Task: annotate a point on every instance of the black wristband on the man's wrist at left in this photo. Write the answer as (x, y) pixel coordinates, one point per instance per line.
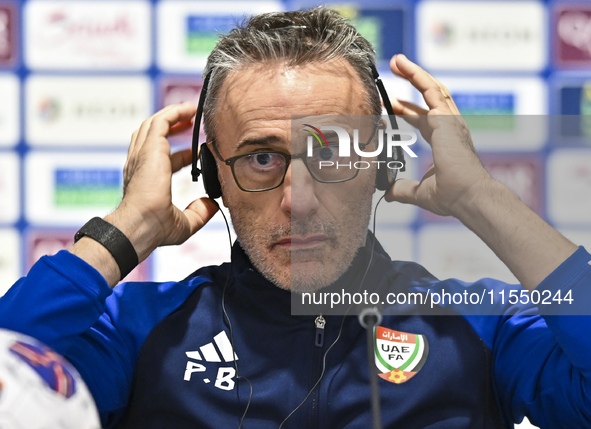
(113, 240)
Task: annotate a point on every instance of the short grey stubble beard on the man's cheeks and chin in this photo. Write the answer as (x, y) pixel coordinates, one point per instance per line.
(259, 241)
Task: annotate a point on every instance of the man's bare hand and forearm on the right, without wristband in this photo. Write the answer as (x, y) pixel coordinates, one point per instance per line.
(457, 184)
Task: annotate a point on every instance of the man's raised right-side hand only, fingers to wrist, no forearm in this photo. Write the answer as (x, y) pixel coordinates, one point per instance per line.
(457, 172)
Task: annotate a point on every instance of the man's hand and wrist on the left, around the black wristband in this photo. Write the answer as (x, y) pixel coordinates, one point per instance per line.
(146, 215)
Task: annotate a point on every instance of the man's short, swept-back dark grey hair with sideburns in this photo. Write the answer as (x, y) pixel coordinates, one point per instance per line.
(294, 38)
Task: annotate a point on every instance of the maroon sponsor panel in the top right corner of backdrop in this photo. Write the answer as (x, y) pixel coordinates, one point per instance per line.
(573, 35)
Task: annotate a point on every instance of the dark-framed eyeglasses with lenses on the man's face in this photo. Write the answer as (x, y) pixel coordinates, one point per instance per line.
(265, 170)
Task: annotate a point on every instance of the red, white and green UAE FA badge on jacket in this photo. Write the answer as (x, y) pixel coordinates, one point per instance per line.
(399, 355)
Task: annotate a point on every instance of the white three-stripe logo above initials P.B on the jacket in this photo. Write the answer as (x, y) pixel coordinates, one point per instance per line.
(216, 351)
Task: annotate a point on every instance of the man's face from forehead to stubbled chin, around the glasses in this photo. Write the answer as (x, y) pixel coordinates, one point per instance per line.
(304, 234)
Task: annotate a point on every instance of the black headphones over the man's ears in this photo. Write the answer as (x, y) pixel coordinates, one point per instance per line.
(385, 177)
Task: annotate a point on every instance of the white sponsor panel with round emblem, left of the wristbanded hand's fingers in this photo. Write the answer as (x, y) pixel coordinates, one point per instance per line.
(85, 110)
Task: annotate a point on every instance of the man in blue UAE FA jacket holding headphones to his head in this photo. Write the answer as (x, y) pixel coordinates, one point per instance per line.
(167, 355)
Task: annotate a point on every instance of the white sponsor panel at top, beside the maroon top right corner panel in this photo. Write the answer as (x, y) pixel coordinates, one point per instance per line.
(484, 35)
